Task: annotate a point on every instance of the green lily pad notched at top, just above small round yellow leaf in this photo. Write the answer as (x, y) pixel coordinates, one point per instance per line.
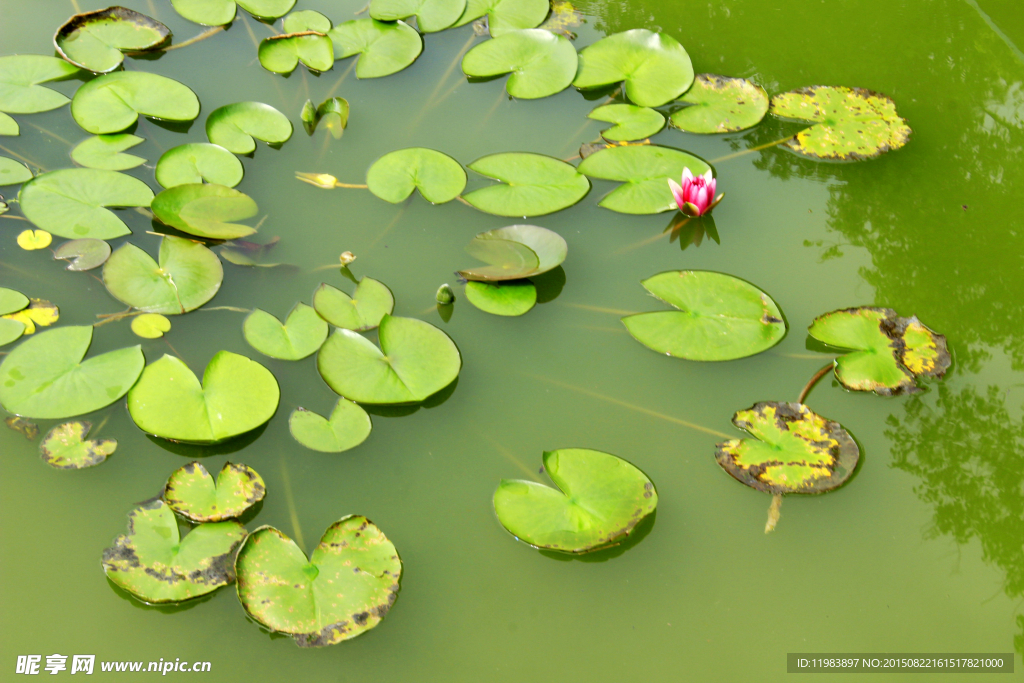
(188, 276)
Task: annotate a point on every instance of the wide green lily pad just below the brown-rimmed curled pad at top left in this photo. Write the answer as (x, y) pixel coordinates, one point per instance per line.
(114, 102)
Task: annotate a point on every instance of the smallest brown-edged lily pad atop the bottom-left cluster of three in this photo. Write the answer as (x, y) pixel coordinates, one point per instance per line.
(192, 493)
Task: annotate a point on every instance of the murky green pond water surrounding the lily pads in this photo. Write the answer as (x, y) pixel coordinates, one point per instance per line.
(921, 552)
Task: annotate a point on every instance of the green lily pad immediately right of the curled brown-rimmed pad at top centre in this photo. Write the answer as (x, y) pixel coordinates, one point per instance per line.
(383, 49)
